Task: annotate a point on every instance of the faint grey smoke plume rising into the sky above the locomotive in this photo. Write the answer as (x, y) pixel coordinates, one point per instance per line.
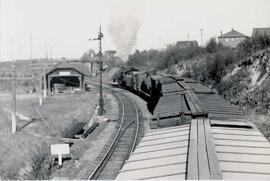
(125, 21)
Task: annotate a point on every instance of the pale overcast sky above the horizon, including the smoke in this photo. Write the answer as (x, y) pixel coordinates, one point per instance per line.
(66, 25)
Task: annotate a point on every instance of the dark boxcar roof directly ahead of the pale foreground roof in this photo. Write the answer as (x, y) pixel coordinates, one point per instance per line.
(198, 101)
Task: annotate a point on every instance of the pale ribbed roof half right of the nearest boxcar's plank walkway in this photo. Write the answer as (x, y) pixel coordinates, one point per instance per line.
(243, 153)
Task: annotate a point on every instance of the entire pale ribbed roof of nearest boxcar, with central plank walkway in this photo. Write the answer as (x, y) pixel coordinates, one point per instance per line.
(203, 149)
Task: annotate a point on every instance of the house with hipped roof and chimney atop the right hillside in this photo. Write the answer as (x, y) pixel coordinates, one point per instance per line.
(232, 38)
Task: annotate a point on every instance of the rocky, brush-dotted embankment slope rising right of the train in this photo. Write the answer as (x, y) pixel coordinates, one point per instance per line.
(246, 84)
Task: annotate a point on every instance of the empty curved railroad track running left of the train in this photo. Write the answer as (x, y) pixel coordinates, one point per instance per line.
(124, 142)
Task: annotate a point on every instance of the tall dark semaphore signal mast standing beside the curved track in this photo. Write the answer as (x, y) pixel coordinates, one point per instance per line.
(101, 102)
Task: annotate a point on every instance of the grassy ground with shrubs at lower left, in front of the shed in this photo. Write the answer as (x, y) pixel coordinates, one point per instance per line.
(25, 155)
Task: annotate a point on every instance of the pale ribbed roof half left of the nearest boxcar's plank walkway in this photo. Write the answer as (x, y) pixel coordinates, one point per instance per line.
(161, 154)
